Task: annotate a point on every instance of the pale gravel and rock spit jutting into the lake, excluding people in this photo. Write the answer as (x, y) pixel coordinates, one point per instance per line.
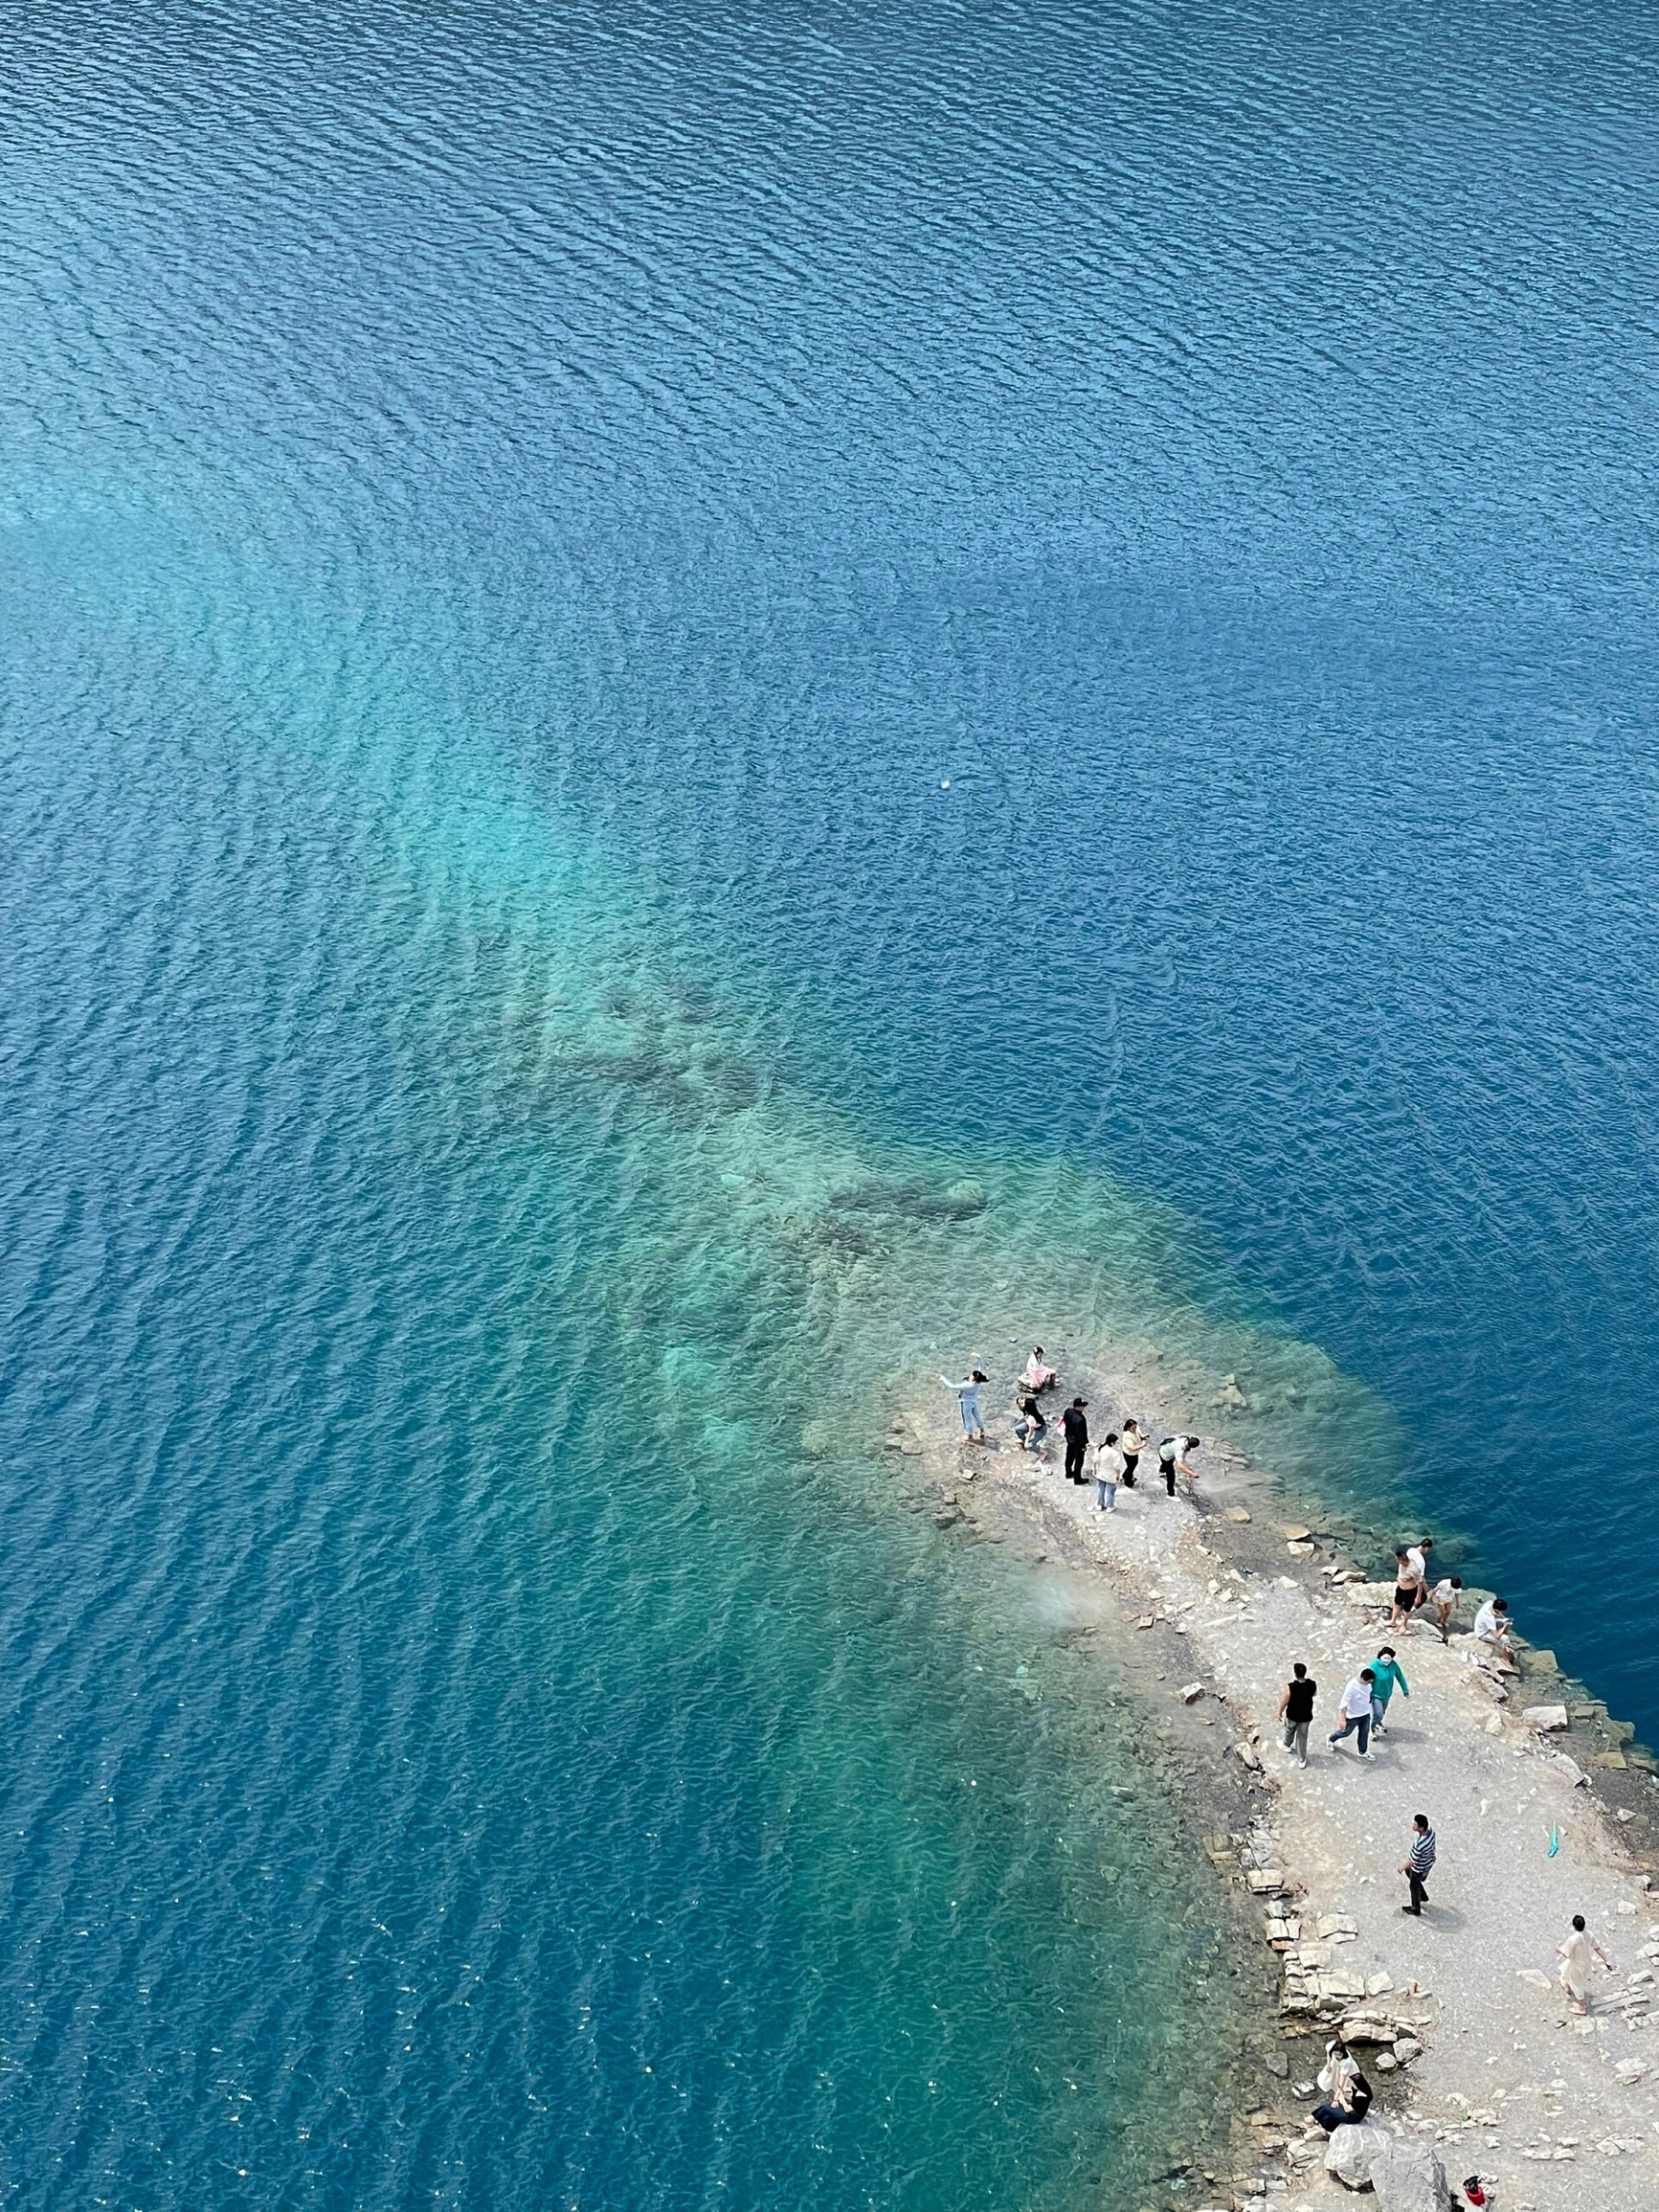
(1543, 1804)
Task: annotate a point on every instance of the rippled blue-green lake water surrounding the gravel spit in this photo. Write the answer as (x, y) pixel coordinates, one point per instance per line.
(702, 702)
